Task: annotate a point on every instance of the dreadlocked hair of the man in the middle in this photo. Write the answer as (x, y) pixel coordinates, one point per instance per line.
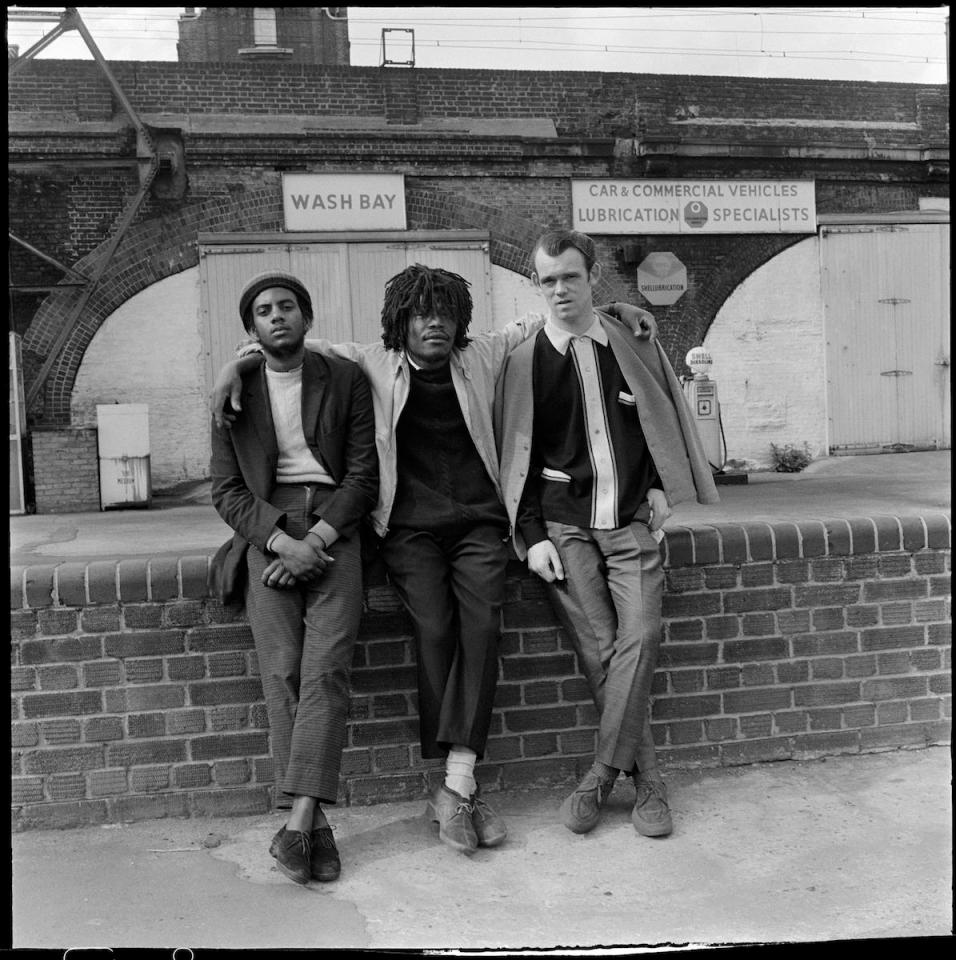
(423, 291)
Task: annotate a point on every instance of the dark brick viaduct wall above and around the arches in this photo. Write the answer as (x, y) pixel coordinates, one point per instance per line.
(513, 185)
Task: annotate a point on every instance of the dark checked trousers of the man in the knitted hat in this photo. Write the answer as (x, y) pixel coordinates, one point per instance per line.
(304, 643)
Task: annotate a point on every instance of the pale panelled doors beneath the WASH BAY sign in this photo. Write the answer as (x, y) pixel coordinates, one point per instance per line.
(346, 280)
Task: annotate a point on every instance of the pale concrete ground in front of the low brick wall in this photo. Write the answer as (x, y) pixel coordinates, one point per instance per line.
(848, 848)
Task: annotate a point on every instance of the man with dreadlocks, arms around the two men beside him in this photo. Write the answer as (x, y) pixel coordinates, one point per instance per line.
(440, 515)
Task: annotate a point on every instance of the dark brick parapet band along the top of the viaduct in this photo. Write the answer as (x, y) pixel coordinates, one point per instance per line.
(612, 104)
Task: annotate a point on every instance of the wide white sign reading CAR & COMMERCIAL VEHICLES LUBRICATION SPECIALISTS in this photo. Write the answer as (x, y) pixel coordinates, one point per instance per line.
(693, 206)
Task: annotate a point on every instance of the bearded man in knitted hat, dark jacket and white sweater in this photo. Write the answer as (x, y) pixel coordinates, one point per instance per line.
(294, 476)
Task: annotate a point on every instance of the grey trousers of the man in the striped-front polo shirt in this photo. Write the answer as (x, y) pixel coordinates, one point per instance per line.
(610, 605)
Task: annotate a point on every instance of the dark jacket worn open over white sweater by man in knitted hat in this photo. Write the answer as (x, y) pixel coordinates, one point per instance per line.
(338, 423)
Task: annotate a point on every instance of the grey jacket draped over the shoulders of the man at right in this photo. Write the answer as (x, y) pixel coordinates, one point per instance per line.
(666, 420)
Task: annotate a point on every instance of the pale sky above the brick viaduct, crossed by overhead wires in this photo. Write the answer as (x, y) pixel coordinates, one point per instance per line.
(895, 44)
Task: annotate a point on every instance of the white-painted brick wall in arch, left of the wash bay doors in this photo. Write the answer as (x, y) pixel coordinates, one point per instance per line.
(150, 351)
